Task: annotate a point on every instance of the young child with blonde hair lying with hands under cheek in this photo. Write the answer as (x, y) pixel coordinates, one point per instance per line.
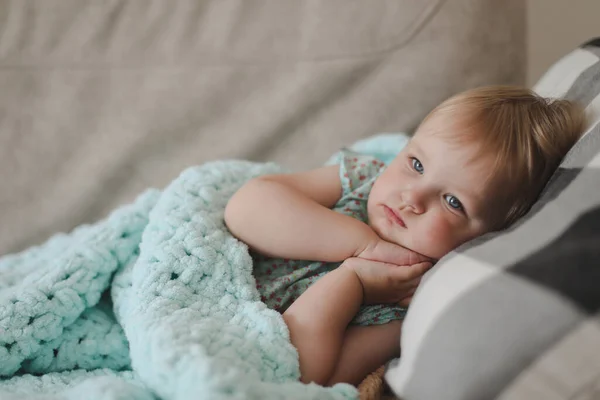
(339, 249)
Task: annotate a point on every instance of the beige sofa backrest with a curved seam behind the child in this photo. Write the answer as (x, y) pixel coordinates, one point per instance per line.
(100, 100)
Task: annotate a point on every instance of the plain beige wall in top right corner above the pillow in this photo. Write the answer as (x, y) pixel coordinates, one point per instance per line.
(555, 27)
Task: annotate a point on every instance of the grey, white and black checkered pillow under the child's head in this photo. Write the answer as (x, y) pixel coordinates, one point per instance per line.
(515, 315)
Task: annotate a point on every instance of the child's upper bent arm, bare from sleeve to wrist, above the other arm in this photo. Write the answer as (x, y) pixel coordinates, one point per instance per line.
(290, 216)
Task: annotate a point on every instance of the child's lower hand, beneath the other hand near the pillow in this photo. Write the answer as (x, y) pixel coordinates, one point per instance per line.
(387, 283)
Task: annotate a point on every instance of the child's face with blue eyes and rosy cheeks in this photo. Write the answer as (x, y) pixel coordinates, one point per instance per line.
(434, 196)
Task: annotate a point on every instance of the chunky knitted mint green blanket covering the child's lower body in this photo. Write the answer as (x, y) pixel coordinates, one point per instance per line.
(157, 301)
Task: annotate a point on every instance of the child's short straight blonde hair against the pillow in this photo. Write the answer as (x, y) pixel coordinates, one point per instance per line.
(528, 134)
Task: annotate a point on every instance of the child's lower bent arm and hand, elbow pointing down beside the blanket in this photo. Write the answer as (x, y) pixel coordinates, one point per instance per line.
(318, 319)
